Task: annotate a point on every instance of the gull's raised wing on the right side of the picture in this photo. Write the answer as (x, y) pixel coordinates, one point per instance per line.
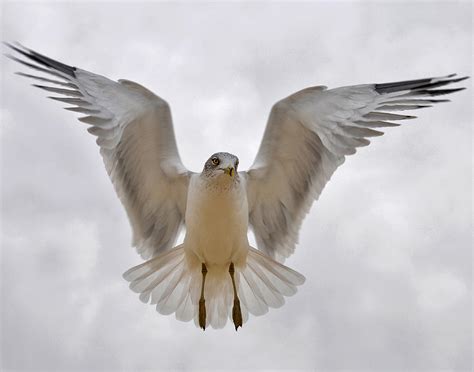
(307, 137)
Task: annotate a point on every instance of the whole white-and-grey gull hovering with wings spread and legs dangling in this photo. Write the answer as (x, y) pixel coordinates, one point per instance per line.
(215, 274)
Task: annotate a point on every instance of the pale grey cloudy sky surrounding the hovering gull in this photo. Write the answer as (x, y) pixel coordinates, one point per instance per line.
(386, 250)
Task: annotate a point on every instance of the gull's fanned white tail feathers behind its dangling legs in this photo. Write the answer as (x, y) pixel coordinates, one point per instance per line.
(168, 282)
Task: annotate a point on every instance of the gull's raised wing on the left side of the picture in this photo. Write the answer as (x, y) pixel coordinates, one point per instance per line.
(135, 133)
